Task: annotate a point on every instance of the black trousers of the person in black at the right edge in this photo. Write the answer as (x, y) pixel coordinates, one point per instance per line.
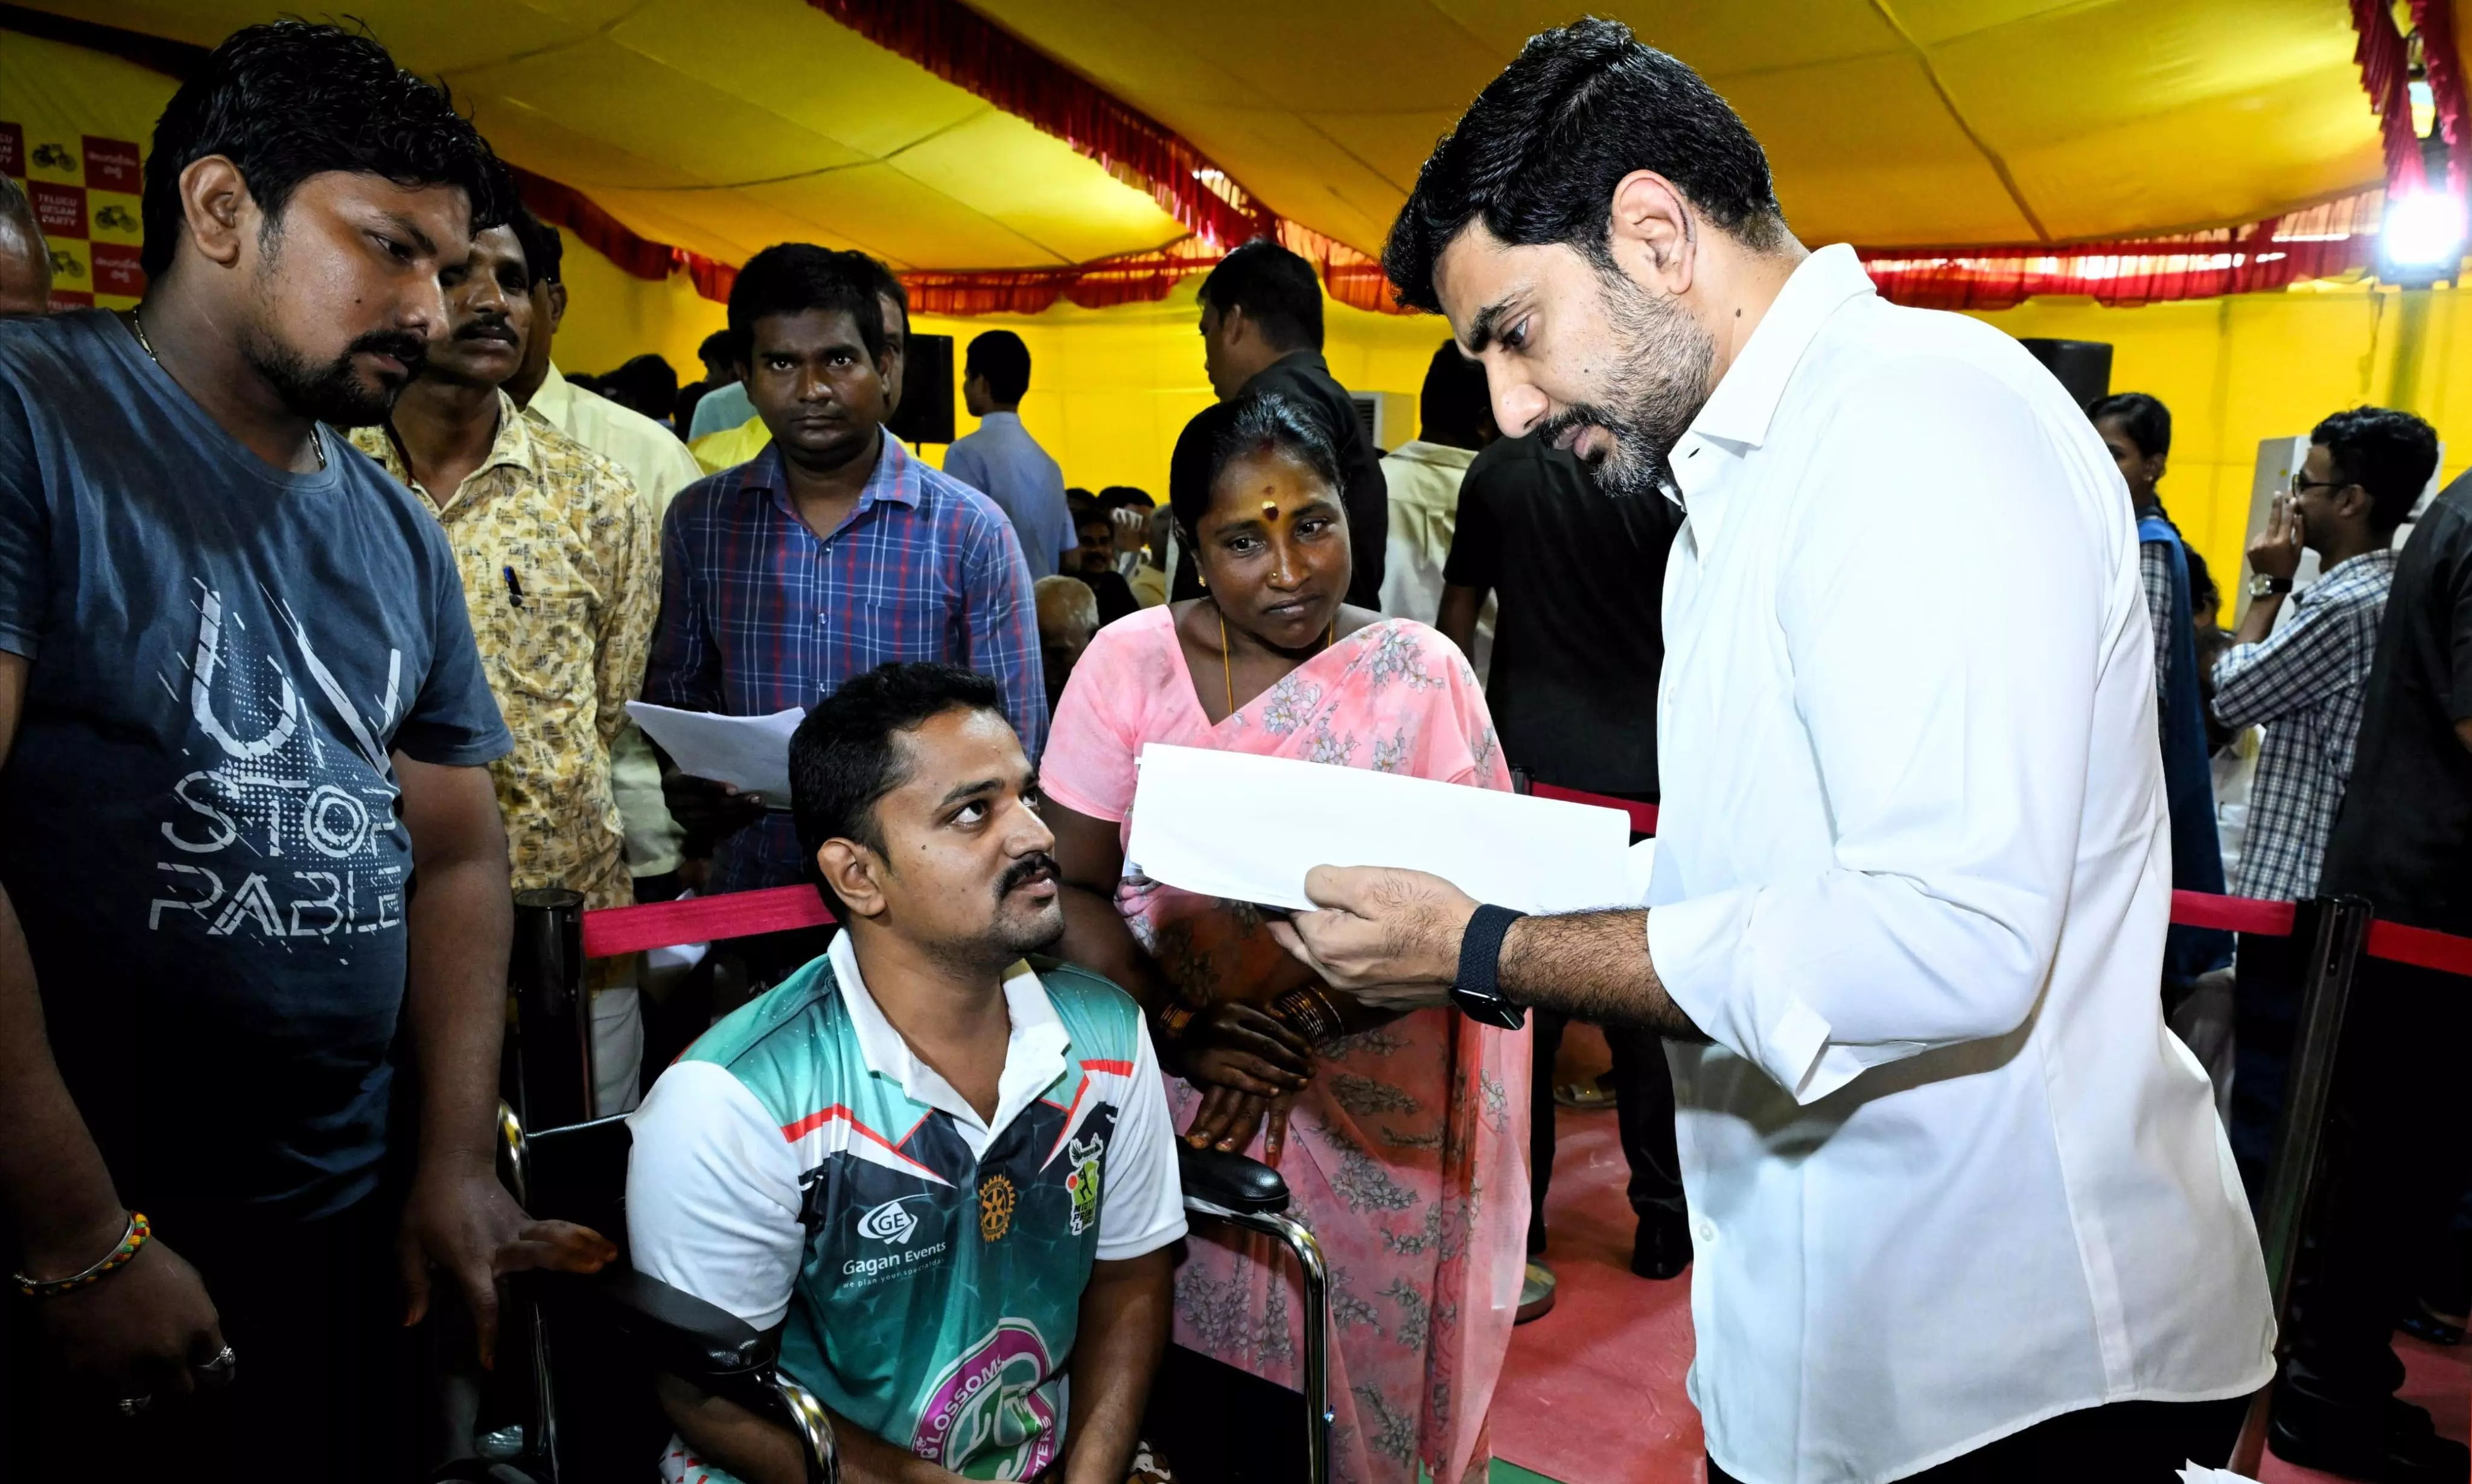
(2392, 1174)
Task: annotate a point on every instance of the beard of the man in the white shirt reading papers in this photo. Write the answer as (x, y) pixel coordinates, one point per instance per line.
(1657, 385)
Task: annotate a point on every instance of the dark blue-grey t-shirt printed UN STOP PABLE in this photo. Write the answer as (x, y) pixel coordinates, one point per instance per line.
(199, 822)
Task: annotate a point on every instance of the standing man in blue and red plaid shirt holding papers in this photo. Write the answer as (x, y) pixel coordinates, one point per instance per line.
(827, 555)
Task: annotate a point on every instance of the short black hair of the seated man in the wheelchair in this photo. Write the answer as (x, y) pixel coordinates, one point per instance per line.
(844, 758)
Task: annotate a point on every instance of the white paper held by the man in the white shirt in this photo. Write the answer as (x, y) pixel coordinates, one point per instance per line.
(1252, 827)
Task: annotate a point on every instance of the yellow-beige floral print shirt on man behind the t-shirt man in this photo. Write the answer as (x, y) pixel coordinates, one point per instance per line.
(562, 575)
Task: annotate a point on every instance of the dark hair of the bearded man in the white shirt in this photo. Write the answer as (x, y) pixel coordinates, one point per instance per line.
(1539, 155)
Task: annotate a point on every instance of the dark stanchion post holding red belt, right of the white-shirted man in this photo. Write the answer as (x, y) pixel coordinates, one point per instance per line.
(2337, 934)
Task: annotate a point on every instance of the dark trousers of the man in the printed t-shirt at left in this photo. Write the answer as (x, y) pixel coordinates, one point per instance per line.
(323, 1386)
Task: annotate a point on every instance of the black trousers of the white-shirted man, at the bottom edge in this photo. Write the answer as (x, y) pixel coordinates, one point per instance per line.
(2125, 1443)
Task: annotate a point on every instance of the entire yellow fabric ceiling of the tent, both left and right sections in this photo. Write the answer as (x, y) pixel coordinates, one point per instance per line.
(726, 125)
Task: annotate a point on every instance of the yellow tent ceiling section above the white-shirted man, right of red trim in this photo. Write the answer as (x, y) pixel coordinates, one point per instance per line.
(1890, 122)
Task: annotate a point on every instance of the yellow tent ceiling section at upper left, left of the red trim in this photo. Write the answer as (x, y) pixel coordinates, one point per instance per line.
(730, 125)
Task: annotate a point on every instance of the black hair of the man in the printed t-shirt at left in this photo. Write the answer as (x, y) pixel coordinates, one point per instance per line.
(293, 100)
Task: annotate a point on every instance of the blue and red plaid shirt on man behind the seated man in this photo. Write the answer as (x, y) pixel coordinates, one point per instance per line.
(760, 617)
